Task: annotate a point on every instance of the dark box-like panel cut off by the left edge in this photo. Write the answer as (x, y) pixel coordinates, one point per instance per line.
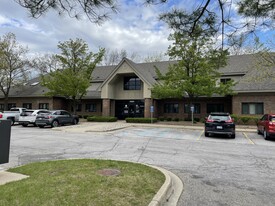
(5, 134)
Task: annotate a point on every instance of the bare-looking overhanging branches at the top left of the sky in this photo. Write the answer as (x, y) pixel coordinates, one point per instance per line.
(95, 11)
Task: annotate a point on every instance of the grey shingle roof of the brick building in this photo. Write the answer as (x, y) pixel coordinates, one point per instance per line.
(237, 65)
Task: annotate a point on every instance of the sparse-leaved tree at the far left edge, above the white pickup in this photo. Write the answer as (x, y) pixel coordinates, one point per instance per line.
(14, 66)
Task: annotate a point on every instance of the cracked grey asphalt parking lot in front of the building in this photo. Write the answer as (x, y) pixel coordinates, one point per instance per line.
(215, 170)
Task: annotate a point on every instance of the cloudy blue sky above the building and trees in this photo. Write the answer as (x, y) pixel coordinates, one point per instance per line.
(135, 28)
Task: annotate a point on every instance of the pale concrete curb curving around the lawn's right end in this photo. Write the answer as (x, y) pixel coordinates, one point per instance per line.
(170, 191)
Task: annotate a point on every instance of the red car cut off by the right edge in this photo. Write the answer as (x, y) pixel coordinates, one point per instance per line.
(266, 125)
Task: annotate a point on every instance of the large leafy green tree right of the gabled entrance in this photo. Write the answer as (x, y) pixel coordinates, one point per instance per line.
(195, 72)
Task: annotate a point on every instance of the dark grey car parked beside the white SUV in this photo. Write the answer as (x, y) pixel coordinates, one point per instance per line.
(56, 118)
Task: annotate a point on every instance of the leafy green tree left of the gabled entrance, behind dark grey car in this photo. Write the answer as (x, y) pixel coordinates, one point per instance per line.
(73, 78)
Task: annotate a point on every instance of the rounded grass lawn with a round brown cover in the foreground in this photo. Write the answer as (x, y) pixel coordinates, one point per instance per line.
(82, 182)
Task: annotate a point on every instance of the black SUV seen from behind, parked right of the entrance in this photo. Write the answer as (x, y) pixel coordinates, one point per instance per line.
(219, 123)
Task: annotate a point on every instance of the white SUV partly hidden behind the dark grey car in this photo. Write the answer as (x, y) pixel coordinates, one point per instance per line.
(29, 116)
